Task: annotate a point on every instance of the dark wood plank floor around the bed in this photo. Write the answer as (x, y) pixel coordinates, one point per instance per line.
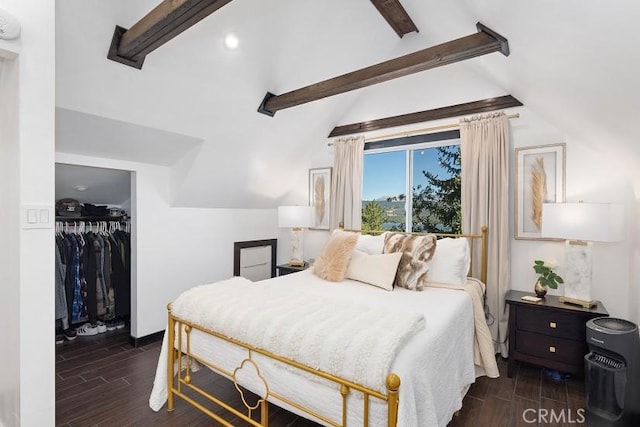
(104, 381)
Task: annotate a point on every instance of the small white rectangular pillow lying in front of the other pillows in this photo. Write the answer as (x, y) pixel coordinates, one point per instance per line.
(377, 270)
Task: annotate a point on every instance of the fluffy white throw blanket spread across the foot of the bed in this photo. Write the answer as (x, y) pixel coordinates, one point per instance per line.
(345, 339)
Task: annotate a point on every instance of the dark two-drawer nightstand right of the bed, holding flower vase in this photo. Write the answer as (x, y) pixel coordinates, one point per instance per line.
(548, 333)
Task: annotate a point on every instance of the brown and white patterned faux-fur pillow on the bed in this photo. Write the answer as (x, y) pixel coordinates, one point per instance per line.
(416, 252)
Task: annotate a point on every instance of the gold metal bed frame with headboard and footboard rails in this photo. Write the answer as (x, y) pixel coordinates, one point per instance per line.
(180, 363)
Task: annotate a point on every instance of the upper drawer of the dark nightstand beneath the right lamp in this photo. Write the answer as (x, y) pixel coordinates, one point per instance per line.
(552, 323)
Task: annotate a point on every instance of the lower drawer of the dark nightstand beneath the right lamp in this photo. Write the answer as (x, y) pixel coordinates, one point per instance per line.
(551, 348)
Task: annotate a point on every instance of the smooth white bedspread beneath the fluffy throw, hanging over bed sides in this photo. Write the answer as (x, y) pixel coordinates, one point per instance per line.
(436, 366)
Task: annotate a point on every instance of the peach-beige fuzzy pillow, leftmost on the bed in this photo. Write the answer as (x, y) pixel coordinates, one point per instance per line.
(332, 262)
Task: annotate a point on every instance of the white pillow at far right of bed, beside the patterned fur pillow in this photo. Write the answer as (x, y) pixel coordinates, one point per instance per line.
(450, 264)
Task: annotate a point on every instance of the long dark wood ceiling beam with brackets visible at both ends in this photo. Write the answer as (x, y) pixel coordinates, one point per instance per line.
(481, 43)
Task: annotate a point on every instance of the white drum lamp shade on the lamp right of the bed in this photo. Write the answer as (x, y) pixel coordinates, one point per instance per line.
(596, 222)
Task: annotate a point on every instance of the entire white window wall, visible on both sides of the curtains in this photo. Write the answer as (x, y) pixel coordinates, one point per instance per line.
(592, 175)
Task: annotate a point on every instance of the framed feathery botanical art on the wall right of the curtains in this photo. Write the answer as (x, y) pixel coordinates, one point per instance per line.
(539, 178)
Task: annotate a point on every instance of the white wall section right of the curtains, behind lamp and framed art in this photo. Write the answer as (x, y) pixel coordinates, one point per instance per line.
(592, 176)
